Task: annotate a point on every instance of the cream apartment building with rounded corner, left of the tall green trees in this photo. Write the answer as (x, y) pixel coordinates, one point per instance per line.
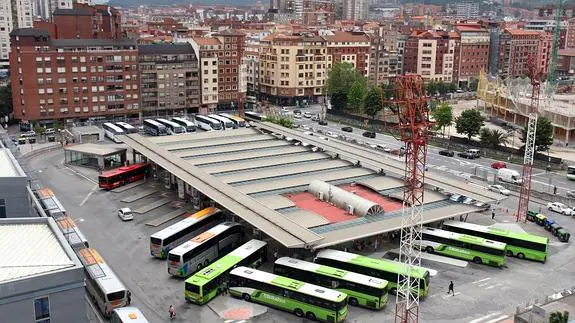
(292, 68)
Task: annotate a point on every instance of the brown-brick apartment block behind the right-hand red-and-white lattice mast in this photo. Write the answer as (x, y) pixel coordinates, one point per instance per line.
(515, 46)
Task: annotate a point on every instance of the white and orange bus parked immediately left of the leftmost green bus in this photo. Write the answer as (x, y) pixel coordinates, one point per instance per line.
(203, 249)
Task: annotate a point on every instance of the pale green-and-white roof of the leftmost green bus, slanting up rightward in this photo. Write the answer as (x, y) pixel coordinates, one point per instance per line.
(228, 261)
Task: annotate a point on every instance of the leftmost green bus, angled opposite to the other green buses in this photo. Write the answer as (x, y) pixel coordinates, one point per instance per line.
(207, 283)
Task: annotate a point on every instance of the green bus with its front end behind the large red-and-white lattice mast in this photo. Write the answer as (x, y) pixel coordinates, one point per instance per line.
(379, 268)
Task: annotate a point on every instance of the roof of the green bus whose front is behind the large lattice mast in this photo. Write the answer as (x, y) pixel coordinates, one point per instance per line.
(380, 264)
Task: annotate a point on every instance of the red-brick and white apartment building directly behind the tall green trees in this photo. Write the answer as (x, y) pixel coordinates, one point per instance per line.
(352, 47)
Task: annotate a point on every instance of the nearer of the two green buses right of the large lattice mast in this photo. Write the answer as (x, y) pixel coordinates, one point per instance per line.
(463, 246)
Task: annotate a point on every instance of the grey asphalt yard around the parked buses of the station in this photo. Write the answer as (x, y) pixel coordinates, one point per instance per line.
(482, 293)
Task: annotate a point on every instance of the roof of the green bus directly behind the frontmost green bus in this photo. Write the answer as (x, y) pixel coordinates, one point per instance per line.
(333, 272)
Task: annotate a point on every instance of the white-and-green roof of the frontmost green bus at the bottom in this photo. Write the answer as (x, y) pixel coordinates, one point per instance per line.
(288, 283)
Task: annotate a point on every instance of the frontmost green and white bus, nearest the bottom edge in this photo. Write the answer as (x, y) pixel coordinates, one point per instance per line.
(302, 299)
